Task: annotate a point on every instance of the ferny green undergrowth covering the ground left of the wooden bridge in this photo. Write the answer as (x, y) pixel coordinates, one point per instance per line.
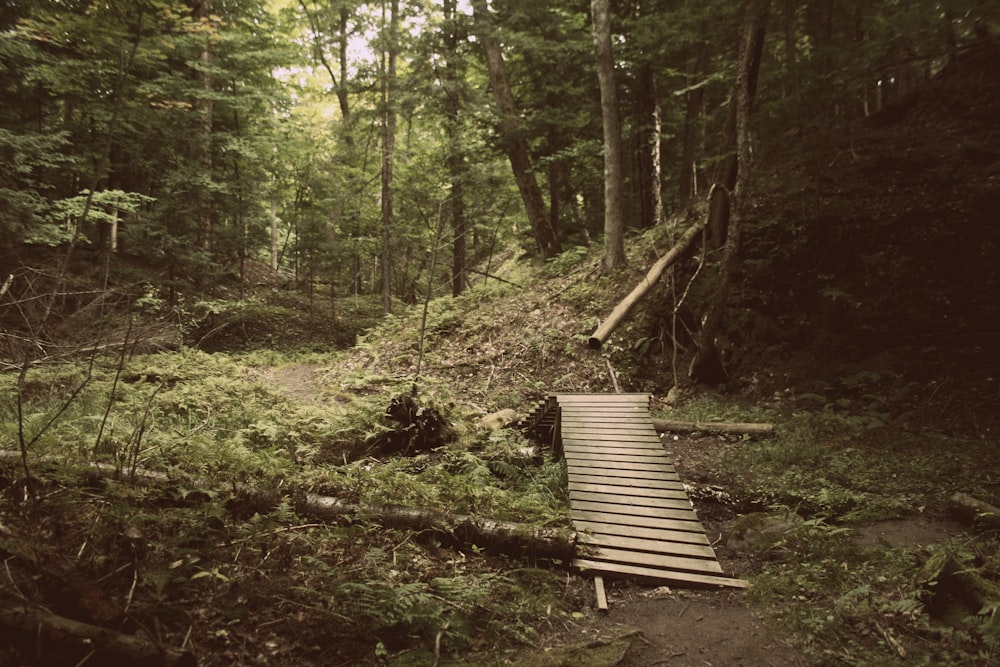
(216, 550)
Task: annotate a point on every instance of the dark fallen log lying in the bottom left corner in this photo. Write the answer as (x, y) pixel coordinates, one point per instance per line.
(47, 630)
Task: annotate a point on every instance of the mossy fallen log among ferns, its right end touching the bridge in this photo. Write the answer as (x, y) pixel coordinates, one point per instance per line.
(515, 539)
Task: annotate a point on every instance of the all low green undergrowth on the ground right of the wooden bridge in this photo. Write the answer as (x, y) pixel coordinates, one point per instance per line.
(841, 465)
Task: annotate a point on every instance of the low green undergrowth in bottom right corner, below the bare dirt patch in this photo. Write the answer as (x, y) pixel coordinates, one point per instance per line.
(847, 603)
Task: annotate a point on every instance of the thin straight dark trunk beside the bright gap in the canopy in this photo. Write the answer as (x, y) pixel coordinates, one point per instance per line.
(388, 89)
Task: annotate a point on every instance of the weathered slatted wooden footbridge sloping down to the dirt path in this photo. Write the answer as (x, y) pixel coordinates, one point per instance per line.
(628, 505)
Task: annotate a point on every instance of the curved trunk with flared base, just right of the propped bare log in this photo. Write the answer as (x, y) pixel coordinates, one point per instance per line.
(707, 364)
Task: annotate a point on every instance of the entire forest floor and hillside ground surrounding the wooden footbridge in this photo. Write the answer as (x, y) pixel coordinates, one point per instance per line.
(866, 327)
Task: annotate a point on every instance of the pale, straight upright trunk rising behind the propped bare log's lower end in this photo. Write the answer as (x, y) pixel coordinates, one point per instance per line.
(614, 206)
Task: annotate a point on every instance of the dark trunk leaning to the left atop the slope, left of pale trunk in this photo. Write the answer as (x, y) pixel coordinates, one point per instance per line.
(510, 130)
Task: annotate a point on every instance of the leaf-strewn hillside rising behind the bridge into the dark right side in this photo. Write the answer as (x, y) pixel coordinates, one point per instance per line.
(870, 267)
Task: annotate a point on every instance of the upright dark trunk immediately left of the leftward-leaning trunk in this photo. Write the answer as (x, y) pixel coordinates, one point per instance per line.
(456, 154)
